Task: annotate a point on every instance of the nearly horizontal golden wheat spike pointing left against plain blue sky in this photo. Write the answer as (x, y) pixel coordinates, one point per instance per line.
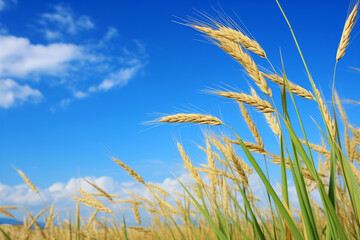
(191, 118)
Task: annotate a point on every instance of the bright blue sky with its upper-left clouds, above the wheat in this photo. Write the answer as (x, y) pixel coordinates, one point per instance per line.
(77, 80)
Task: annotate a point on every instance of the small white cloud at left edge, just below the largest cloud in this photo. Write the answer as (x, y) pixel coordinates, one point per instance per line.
(12, 94)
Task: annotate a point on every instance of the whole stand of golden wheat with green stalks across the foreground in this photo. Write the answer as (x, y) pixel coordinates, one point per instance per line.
(220, 203)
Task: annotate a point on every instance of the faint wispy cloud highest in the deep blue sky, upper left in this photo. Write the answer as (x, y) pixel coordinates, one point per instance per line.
(63, 19)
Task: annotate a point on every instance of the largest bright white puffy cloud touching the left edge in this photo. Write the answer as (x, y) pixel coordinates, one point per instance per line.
(20, 58)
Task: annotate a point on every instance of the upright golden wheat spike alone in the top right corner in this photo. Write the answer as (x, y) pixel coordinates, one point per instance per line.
(349, 24)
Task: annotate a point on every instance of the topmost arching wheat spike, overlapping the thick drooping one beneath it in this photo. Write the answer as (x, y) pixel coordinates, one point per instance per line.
(233, 35)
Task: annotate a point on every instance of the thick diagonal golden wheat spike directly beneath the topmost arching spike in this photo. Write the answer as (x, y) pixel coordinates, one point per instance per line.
(234, 50)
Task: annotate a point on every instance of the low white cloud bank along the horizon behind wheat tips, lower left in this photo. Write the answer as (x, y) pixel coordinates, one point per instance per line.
(60, 194)
